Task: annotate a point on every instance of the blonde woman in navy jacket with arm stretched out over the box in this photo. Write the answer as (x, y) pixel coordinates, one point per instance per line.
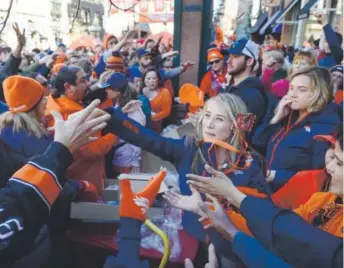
(189, 156)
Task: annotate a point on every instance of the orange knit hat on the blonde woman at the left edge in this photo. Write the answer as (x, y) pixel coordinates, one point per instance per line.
(22, 93)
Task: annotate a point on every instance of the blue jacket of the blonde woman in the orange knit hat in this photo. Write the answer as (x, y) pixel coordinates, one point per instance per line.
(28, 145)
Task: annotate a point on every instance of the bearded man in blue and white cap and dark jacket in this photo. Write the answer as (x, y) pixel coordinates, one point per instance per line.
(243, 58)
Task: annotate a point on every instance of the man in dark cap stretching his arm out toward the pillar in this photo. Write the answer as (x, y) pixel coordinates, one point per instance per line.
(145, 61)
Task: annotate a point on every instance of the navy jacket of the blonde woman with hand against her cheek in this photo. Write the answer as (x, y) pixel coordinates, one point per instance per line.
(292, 148)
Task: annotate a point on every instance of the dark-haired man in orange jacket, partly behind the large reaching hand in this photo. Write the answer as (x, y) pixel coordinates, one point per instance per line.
(67, 98)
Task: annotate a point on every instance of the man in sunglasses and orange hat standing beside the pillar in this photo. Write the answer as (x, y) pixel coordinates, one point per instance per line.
(214, 81)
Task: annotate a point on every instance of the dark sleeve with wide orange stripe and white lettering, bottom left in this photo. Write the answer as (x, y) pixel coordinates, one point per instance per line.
(26, 200)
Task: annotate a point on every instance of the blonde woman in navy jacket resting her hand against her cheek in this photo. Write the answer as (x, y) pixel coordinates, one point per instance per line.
(306, 111)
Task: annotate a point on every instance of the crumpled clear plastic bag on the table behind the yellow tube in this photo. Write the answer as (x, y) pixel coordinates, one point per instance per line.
(170, 223)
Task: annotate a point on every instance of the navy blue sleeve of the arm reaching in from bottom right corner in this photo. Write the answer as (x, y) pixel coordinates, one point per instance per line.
(287, 235)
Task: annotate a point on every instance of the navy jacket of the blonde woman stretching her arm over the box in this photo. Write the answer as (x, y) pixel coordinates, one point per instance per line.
(180, 153)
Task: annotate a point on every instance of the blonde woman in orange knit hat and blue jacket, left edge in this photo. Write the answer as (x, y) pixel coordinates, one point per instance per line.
(22, 127)
